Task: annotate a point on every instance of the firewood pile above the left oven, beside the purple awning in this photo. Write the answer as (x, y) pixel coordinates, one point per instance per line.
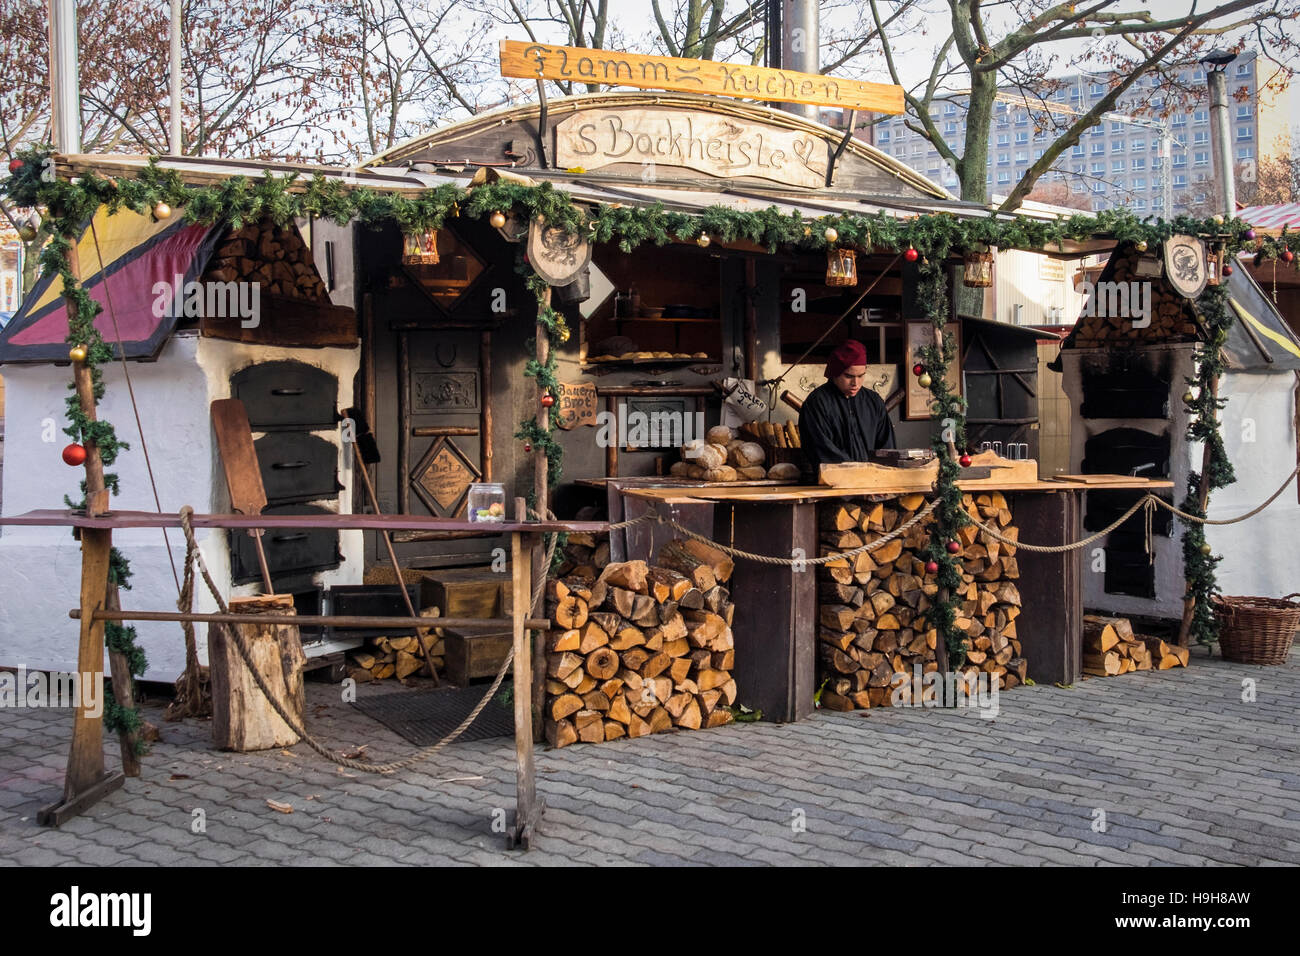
(276, 257)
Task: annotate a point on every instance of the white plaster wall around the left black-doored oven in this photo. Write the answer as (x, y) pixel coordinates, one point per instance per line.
(41, 568)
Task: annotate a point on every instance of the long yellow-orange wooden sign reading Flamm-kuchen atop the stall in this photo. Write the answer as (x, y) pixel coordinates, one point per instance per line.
(544, 62)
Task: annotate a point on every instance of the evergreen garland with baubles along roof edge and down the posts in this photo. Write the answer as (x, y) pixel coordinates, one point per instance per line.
(937, 236)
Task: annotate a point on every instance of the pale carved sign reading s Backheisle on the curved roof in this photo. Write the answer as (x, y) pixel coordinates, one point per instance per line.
(691, 140)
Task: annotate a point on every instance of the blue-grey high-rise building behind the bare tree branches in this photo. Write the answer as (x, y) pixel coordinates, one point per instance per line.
(1119, 163)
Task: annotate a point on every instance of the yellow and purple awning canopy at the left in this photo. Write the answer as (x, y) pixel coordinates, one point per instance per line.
(123, 258)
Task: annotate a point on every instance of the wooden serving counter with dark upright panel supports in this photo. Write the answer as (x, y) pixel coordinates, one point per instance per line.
(777, 607)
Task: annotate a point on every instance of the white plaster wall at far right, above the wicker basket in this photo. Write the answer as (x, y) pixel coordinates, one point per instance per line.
(1260, 555)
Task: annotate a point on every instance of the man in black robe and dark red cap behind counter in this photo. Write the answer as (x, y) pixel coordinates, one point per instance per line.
(844, 421)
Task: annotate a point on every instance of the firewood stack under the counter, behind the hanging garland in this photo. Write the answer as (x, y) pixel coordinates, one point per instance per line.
(874, 605)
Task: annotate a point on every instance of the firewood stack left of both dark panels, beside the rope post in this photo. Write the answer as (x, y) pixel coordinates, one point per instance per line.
(642, 650)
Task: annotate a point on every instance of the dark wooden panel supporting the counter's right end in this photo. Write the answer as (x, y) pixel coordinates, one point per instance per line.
(1051, 586)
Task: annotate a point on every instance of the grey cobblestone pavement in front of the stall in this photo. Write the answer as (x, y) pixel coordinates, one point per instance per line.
(1182, 768)
